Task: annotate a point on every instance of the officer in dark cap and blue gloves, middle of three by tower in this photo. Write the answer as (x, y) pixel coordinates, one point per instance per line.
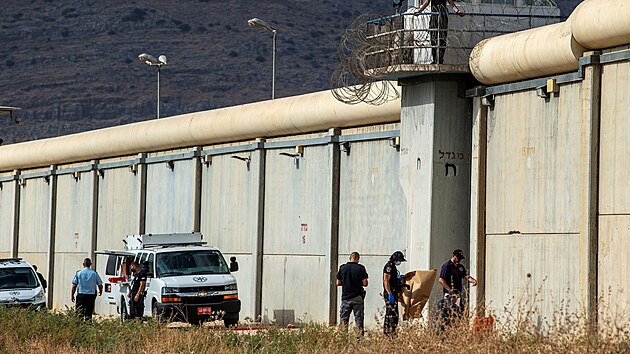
(391, 289)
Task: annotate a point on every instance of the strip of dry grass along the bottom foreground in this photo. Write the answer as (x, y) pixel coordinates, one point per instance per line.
(29, 332)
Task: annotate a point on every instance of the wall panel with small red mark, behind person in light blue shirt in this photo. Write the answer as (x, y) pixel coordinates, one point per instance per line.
(73, 232)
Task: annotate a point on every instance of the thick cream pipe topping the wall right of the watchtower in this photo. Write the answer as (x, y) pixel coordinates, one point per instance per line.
(552, 49)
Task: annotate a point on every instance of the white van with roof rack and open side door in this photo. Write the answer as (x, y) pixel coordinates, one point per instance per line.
(186, 280)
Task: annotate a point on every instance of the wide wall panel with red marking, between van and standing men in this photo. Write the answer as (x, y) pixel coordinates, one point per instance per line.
(297, 233)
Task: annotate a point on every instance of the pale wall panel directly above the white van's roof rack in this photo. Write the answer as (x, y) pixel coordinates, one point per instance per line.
(170, 197)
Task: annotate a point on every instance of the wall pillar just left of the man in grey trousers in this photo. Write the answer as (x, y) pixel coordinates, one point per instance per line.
(334, 175)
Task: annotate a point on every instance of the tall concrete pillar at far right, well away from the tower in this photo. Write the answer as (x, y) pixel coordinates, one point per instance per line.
(589, 187)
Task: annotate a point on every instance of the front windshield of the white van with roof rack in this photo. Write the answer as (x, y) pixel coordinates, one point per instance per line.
(190, 263)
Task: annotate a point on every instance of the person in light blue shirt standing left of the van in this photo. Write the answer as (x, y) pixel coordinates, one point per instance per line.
(85, 284)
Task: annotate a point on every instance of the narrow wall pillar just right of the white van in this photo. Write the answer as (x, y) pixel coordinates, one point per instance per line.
(259, 155)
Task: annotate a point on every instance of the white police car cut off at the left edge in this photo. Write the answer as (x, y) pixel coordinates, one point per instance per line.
(19, 285)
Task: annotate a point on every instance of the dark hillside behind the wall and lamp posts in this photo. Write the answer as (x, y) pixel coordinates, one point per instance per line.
(72, 65)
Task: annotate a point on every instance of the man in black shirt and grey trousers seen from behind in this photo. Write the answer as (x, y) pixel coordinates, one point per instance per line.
(352, 277)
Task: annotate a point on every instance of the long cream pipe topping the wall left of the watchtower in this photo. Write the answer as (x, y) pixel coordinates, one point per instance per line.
(292, 115)
